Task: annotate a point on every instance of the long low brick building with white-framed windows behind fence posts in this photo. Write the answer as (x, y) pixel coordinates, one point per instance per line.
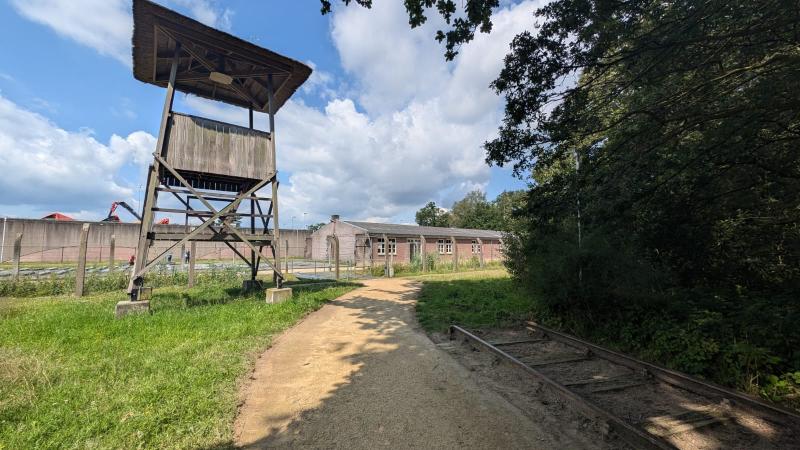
(371, 243)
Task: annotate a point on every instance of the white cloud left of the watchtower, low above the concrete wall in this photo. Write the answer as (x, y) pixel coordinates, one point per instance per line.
(46, 168)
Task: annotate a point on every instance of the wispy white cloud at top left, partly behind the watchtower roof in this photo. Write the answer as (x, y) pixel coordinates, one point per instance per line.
(107, 25)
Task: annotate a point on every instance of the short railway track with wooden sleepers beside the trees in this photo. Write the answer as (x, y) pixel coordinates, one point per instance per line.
(645, 405)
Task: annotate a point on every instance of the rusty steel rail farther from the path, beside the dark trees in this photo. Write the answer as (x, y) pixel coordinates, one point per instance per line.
(674, 378)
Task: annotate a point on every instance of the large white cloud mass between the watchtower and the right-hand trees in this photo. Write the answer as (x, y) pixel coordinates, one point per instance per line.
(419, 134)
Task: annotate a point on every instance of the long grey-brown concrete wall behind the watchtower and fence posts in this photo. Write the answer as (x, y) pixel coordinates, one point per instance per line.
(56, 241)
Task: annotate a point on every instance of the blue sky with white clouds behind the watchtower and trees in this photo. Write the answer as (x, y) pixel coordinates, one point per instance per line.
(383, 126)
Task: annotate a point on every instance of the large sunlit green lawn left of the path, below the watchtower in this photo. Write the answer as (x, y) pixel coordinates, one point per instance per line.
(71, 376)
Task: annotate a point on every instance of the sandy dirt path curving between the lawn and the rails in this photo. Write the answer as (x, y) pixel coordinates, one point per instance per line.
(360, 373)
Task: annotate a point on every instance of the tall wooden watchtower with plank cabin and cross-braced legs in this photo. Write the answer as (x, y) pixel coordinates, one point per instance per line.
(211, 167)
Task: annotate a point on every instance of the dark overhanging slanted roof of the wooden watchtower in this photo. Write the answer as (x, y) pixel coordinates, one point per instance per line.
(240, 69)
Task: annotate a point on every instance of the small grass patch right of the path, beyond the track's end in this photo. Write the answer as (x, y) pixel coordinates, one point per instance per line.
(478, 299)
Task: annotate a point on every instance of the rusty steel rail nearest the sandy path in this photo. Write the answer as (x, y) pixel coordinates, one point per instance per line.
(633, 435)
